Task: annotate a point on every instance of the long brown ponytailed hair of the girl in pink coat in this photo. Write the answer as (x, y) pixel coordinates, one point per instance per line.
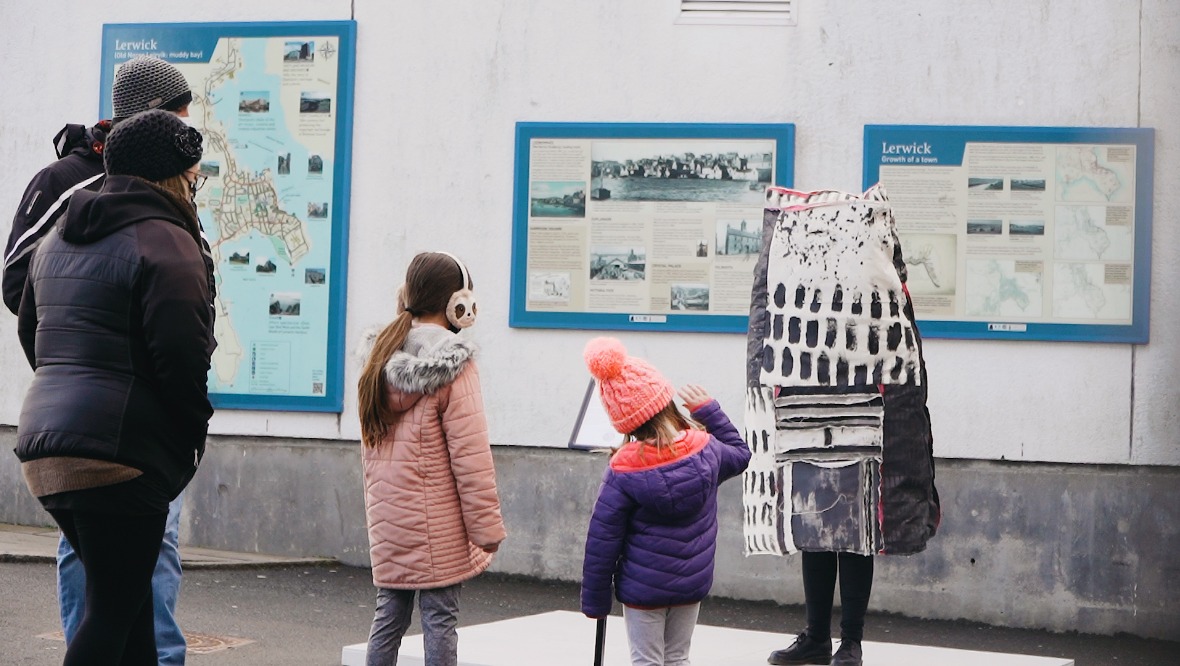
(430, 282)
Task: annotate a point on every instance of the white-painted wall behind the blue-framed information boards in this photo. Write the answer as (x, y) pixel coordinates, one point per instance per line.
(441, 86)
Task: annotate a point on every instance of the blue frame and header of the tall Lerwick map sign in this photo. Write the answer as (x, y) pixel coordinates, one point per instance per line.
(195, 43)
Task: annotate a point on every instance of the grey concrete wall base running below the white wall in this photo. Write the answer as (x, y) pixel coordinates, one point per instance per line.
(1089, 549)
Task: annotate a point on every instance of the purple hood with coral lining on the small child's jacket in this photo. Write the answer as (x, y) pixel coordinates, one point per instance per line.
(678, 486)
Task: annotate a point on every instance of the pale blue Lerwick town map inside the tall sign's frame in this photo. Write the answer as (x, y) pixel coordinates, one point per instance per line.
(266, 108)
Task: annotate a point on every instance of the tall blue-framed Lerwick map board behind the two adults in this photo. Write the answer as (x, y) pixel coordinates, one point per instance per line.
(274, 102)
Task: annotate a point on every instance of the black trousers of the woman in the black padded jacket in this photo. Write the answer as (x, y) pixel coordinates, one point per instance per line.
(119, 553)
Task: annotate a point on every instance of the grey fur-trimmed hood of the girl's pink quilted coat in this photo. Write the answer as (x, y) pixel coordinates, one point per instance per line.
(431, 358)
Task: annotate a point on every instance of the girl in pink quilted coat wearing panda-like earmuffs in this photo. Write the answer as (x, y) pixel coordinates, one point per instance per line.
(430, 487)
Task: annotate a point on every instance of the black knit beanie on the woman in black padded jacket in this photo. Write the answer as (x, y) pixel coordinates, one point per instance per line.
(154, 146)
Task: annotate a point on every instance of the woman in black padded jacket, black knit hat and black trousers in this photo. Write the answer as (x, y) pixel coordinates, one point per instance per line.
(115, 321)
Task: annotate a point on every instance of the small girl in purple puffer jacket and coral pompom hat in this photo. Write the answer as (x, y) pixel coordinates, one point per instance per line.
(654, 530)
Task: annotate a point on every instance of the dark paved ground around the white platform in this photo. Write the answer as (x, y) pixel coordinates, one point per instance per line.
(304, 613)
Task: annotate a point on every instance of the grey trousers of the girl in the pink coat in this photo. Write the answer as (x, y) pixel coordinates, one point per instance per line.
(441, 623)
